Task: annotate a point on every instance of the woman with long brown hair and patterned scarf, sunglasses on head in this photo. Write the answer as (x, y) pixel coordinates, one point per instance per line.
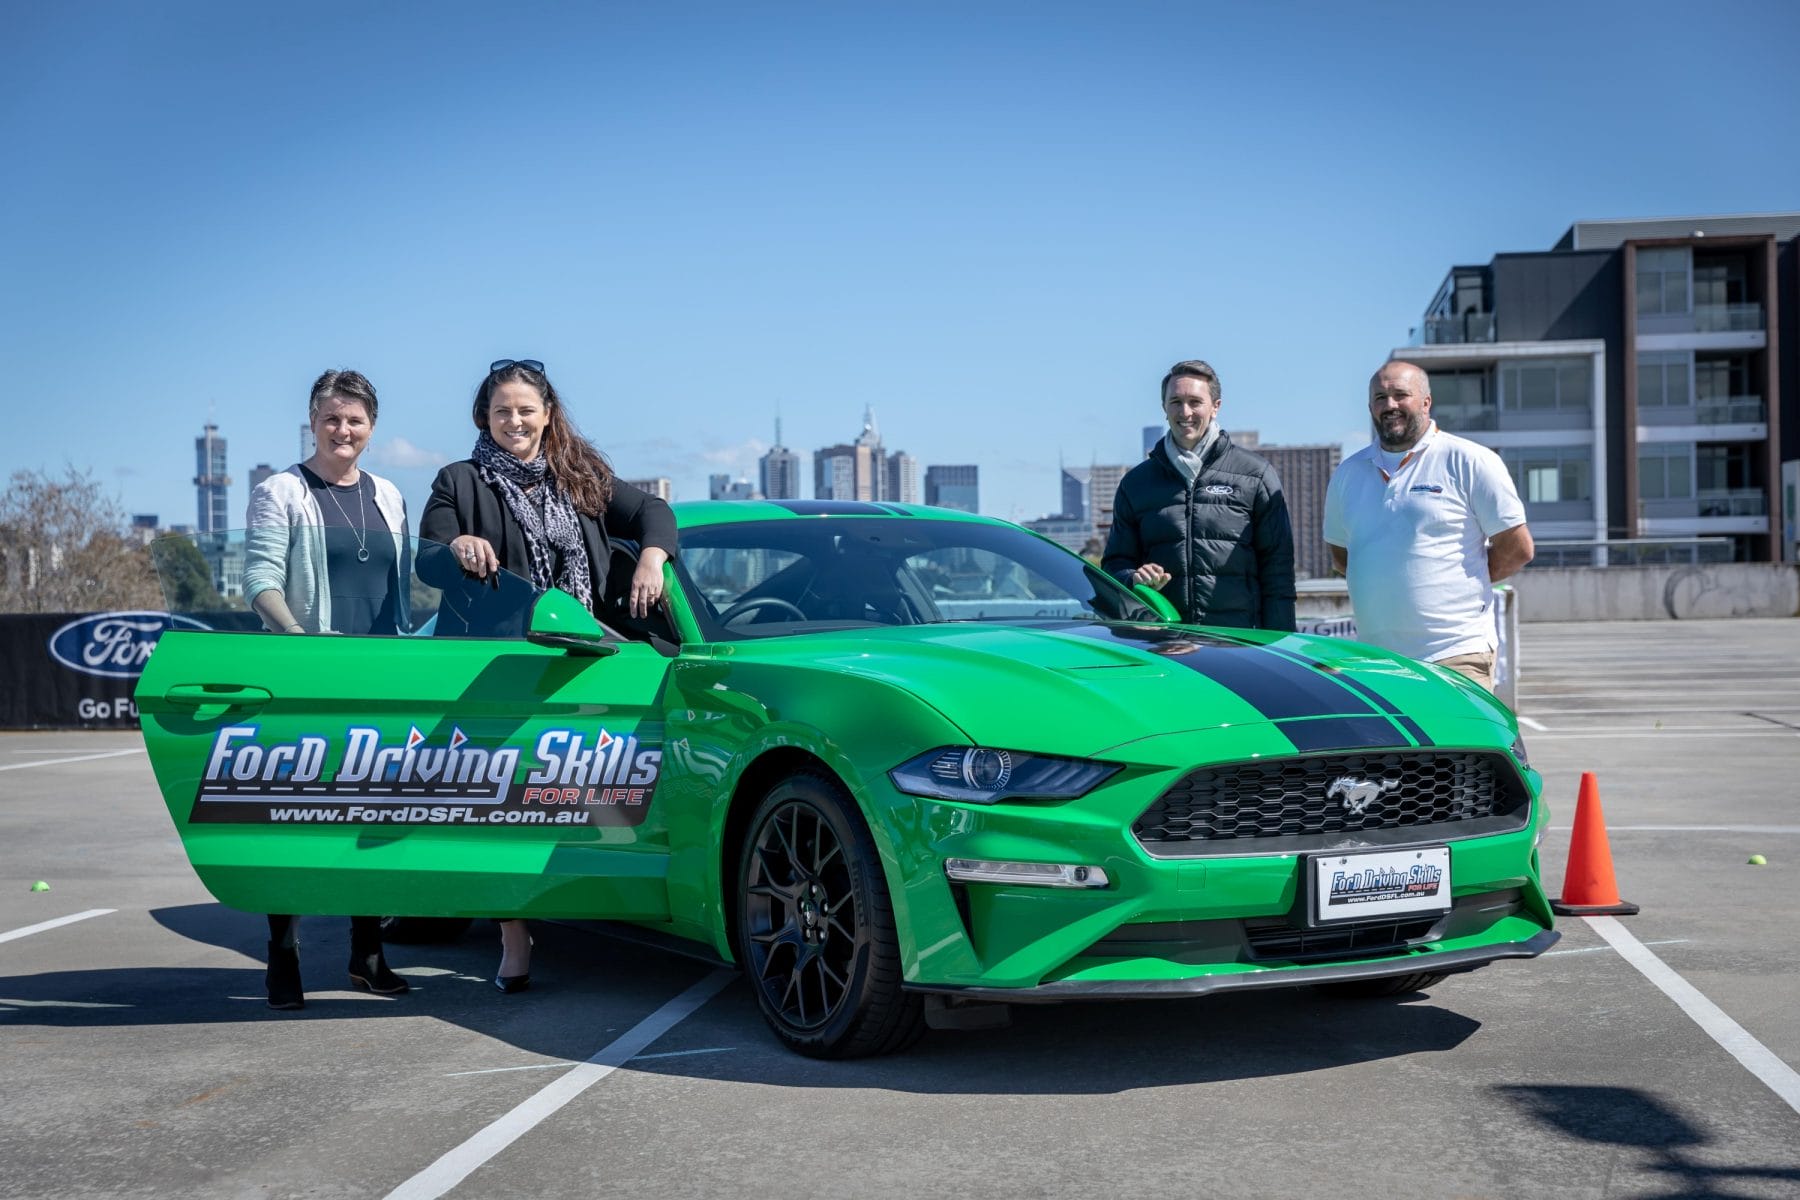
(539, 501)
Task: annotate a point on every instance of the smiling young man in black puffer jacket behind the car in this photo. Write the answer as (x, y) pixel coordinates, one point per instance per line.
(1205, 521)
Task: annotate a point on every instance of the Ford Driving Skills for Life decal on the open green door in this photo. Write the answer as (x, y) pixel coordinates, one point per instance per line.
(573, 778)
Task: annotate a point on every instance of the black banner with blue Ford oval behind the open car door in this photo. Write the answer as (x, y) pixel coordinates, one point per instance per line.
(78, 670)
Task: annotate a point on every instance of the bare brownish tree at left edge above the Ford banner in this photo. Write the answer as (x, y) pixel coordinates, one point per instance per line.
(64, 548)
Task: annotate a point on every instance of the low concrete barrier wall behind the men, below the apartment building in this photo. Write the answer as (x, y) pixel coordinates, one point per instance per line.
(1624, 593)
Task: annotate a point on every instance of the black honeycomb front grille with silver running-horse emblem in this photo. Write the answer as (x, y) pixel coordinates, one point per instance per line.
(1311, 803)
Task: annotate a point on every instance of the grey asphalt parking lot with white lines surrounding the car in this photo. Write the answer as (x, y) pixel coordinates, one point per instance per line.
(1644, 1057)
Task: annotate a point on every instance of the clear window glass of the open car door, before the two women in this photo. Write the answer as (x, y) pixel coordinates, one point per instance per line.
(404, 587)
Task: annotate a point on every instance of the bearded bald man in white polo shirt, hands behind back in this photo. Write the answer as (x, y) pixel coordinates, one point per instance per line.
(1425, 524)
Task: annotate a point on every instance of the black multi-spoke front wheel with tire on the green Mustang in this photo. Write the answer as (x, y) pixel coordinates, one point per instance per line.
(818, 929)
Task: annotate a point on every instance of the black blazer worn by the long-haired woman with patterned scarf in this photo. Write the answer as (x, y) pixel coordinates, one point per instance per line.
(463, 505)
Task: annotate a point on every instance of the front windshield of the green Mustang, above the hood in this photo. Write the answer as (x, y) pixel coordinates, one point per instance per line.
(798, 577)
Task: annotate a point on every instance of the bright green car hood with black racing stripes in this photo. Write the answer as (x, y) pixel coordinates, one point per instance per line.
(1088, 688)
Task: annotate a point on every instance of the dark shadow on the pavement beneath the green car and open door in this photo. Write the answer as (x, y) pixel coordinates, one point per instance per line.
(591, 989)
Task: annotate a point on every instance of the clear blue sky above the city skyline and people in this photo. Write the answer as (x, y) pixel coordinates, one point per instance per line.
(998, 224)
